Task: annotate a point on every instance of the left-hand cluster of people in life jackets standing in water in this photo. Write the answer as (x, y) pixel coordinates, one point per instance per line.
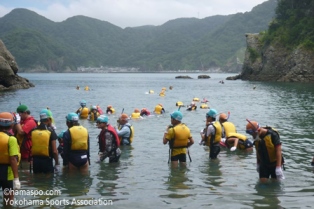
(26, 140)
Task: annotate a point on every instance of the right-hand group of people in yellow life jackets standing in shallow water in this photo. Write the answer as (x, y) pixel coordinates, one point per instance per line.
(220, 133)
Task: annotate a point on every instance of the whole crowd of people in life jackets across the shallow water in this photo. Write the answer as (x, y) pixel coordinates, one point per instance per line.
(23, 138)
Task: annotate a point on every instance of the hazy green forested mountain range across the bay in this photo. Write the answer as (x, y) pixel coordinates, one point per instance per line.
(180, 44)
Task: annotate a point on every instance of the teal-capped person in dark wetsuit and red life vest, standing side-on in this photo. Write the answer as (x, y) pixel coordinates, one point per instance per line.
(108, 141)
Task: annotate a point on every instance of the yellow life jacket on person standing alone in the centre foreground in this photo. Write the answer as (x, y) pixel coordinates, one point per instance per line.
(181, 136)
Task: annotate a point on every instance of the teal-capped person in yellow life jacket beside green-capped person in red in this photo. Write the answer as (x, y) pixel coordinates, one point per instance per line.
(44, 146)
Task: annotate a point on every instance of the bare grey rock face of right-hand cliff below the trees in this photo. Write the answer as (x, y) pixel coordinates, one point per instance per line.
(275, 62)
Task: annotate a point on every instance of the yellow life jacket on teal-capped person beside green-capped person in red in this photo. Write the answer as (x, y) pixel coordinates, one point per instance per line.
(40, 141)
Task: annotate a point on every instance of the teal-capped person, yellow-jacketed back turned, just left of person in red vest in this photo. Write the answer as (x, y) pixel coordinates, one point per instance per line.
(76, 145)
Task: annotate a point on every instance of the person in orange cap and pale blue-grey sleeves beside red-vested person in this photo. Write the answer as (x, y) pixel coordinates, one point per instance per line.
(125, 130)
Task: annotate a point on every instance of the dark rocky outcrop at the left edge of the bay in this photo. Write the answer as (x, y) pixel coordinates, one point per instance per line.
(8, 72)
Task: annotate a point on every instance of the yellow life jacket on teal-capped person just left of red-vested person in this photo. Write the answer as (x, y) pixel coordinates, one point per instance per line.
(79, 138)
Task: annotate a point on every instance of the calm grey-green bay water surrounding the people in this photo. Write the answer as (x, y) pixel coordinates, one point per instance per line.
(143, 178)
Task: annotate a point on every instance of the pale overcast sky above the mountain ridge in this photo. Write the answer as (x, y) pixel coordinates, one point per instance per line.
(130, 13)
